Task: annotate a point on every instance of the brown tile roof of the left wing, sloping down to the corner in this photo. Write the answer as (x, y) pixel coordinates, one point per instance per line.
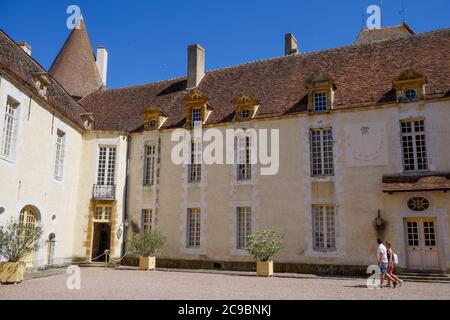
(17, 63)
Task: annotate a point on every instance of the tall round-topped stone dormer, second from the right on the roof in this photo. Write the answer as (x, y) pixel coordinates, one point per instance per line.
(321, 91)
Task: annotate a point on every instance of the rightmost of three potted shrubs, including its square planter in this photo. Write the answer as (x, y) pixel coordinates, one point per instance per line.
(263, 245)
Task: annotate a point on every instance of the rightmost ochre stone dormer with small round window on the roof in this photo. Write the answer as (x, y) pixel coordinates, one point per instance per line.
(410, 86)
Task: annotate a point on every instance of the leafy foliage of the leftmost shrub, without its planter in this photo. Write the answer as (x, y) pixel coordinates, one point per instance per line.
(18, 241)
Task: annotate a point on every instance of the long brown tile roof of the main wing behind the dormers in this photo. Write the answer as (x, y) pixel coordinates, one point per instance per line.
(363, 76)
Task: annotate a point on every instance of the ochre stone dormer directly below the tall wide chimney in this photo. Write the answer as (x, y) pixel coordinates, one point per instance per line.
(197, 108)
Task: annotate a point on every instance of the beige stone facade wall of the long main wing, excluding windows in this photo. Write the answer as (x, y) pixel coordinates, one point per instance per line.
(284, 201)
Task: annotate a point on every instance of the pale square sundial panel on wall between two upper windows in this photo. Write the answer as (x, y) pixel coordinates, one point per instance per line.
(366, 144)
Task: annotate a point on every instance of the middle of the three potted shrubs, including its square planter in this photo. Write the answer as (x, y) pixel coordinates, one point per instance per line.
(147, 245)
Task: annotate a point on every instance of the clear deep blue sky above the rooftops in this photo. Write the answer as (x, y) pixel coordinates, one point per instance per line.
(147, 40)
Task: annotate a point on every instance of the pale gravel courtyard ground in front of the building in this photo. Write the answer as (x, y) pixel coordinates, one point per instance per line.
(97, 283)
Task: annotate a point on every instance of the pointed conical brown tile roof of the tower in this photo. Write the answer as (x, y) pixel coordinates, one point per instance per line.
(74, 66)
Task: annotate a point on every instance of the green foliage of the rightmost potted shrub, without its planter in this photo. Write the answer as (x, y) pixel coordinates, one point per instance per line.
(264, 244)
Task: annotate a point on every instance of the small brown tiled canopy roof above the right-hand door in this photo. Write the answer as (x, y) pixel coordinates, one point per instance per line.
(414, 183)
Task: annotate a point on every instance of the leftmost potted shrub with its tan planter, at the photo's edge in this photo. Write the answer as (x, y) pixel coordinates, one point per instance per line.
(17, 242)
